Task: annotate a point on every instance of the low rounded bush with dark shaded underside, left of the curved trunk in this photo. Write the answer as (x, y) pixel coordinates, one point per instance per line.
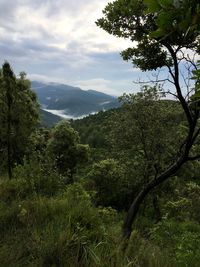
(108, 178)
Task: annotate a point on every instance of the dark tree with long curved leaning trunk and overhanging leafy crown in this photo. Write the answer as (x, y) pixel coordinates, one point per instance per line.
(165, 35)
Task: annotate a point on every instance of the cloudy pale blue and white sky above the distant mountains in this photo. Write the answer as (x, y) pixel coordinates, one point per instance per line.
(57, 40)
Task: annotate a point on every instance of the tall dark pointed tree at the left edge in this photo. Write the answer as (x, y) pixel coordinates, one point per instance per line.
(18, 116)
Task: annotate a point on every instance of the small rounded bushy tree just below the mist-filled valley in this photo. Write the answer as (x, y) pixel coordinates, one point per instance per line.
(65, 150)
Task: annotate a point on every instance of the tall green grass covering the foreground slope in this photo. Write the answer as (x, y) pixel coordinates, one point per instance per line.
(66, 230)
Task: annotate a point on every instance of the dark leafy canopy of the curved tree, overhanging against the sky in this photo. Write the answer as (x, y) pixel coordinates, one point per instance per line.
(153, 25)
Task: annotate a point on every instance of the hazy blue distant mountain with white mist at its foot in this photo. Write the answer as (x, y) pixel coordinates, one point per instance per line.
(72, 101)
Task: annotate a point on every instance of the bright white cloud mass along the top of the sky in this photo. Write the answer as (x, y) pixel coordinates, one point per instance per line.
(69, 22)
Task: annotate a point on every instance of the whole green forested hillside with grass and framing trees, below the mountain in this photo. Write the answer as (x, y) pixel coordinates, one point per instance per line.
(121, 187)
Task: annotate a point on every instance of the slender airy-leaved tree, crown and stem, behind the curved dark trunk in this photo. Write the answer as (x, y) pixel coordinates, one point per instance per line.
(141, 139)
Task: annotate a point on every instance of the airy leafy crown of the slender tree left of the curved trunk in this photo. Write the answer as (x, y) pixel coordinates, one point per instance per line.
(141, 128)
